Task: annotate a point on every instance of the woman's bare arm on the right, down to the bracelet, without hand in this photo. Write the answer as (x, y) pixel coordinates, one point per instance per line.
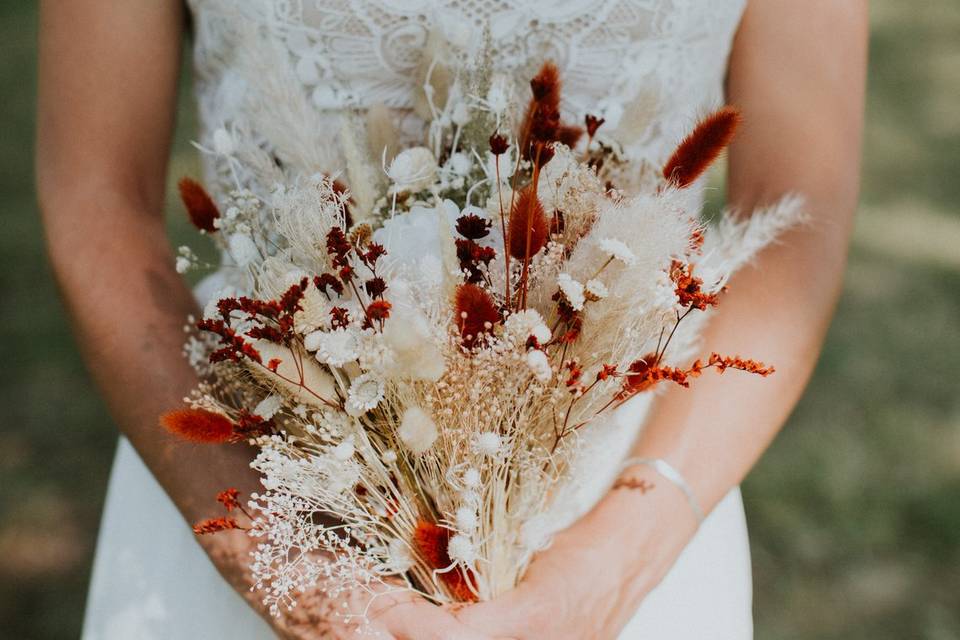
(801, 133)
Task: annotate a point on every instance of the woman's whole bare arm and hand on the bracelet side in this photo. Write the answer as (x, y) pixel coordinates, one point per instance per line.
(797, 71)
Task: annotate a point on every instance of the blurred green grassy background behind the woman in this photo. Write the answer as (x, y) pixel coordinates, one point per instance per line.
(855, 511)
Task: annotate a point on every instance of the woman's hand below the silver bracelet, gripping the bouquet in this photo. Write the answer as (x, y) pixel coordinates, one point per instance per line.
(590, 581)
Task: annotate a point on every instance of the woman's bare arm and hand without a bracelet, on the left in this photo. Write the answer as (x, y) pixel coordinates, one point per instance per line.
(107, 93)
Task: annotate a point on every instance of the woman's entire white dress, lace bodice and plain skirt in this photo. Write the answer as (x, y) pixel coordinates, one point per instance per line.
(650, 67)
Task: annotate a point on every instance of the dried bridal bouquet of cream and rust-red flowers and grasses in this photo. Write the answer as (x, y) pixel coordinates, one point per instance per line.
(418, 358)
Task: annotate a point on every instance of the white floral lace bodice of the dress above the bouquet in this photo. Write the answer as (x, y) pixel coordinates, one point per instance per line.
(649, 67)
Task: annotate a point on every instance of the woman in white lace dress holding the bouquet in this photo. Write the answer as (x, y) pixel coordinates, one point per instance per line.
(634, 565)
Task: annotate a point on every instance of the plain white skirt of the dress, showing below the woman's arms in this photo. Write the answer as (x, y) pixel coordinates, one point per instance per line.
(151, 580)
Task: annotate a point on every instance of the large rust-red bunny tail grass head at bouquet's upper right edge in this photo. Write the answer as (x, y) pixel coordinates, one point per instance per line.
(699, 149)
